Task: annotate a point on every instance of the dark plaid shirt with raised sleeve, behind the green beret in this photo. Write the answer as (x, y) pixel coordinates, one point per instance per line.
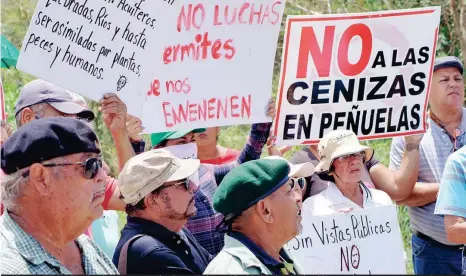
(203, 224)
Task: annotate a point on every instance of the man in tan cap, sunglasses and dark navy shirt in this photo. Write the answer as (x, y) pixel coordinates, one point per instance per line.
(158, 189)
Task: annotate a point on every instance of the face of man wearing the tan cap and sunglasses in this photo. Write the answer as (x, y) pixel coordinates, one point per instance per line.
(176, 199)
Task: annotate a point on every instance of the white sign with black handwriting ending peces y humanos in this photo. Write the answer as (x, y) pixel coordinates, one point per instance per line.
(95, 47)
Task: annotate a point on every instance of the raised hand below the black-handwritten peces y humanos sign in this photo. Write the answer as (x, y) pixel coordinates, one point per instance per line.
(113, 113)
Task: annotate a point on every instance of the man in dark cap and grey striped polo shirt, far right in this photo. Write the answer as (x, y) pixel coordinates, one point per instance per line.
(433, 253)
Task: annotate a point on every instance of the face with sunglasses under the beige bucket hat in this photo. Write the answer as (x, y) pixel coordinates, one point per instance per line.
(349, 167)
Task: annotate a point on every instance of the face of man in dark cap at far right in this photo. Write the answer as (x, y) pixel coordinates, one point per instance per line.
(447, 89)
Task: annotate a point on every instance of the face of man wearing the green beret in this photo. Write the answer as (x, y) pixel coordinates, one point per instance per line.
(286, 204)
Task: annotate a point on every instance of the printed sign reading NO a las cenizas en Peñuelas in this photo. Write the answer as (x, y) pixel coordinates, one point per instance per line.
(369, 73)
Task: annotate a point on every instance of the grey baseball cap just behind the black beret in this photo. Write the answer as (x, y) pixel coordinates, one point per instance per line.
(40, 91)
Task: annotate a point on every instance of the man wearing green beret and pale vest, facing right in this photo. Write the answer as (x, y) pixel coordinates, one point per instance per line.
(262, 211)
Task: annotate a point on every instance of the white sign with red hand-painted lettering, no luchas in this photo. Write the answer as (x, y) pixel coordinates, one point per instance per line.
(216, 66)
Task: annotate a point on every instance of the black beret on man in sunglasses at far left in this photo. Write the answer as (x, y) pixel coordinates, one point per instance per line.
(45, 139)
